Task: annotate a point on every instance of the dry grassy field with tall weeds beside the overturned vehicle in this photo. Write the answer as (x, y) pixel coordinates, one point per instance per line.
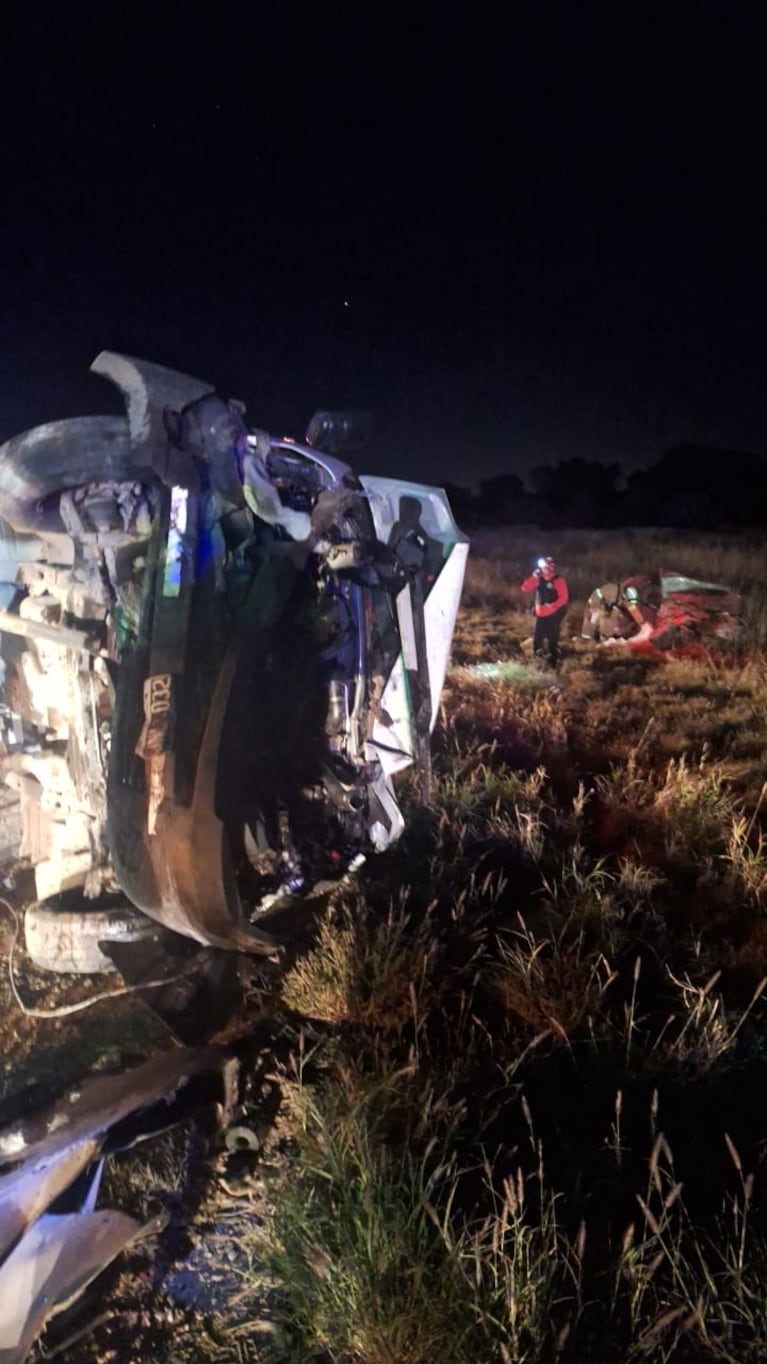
(525, 1118)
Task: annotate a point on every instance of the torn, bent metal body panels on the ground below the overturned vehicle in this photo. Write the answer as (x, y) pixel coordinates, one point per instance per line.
(48, 1258)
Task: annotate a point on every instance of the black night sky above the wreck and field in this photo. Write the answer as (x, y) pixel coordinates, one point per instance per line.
(517, 234)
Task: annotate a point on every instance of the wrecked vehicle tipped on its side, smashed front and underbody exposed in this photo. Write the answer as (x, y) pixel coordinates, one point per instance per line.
(220, 650)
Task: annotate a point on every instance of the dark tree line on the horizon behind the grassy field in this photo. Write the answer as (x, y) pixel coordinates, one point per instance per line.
(689, 488)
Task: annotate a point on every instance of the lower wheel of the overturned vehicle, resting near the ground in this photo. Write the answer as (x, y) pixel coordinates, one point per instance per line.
(70, 940)
